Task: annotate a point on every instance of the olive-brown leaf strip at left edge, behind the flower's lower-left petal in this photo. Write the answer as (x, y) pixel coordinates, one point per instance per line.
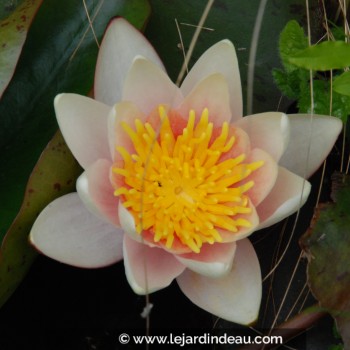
(53, 176)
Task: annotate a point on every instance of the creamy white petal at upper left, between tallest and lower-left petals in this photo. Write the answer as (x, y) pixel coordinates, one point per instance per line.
(83, 122)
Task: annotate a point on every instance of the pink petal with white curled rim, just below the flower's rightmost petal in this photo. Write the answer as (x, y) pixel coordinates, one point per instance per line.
(288, 195)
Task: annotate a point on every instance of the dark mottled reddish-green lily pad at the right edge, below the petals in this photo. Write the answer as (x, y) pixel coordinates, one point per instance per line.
(327, 246)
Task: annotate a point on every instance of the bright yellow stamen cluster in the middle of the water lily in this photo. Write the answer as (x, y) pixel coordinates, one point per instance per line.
(177, 187)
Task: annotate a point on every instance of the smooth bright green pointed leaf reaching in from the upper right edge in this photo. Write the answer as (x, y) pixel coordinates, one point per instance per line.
(324, 56)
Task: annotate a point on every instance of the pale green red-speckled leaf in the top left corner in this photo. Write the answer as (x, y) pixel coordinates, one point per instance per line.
(13, 32)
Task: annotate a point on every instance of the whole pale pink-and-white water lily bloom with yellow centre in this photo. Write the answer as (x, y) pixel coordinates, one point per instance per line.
(174, 179)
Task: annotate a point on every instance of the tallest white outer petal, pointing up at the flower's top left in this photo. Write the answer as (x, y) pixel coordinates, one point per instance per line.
(120, 45)
